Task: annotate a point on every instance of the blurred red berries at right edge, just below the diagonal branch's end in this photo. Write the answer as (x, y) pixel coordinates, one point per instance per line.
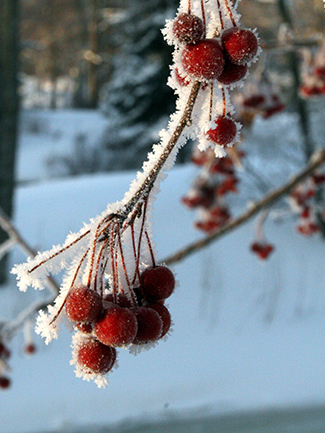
(304, 202)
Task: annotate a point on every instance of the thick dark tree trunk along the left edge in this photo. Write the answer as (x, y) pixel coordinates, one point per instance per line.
(9, 104)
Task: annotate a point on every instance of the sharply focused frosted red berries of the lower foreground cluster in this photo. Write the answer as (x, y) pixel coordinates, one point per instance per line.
(113, 320)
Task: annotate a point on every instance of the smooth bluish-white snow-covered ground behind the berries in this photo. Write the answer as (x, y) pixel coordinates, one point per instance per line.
(247, 335)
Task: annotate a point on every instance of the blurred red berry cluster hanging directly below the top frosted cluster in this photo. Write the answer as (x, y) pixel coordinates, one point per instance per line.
(209, 190)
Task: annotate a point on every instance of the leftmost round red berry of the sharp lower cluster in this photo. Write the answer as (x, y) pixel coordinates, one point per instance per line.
(83, 304)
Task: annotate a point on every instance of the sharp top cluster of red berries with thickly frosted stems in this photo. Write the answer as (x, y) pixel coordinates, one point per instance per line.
(216, 56)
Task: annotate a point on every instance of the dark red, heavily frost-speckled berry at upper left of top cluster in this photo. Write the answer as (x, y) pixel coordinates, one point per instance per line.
(188, 28)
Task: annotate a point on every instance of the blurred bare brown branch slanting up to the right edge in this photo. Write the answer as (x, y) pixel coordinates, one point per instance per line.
(316, 161)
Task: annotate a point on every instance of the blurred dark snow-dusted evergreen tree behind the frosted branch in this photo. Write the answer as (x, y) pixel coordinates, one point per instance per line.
(138, 100)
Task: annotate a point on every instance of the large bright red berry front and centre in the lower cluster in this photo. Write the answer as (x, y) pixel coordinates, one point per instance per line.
(117, 327)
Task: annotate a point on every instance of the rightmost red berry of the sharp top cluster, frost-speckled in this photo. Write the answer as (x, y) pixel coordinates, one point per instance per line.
(240, 45)
